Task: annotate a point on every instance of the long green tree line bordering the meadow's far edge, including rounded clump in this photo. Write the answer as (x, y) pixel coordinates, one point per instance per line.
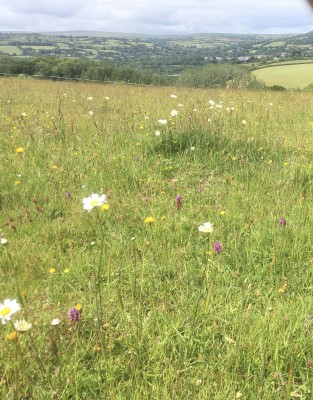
(219, 75)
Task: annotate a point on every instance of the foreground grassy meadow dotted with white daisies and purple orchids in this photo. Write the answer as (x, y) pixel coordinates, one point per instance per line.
(131, 300)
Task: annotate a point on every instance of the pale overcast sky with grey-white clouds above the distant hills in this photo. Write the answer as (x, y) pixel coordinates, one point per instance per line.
(157, 16)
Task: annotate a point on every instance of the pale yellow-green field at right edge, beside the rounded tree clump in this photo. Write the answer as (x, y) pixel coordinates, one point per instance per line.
(290, 76)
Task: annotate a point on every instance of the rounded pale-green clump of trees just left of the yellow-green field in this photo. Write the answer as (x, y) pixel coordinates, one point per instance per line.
(220, 76)
